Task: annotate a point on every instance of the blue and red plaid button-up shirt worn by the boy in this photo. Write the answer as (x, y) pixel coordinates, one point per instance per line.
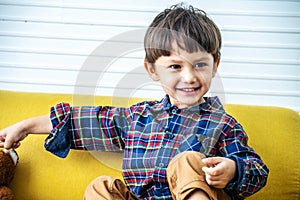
(150, 134)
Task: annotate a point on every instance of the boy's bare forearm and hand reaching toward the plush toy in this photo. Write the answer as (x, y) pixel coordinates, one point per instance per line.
(11, 136)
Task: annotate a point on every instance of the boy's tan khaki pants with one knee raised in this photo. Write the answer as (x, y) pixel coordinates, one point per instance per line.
(184, 175)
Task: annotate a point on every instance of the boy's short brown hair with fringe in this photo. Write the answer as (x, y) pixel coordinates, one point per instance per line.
(190, 28)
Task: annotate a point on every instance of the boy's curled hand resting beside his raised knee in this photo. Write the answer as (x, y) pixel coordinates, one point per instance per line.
(219, 171)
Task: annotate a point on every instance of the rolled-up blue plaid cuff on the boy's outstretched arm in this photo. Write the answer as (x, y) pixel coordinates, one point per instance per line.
(58, 142)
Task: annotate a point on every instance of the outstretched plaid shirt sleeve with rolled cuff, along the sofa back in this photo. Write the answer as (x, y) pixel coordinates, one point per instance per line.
(100, 128)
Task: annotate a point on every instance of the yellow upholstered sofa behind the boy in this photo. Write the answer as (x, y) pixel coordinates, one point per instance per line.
(273, 132)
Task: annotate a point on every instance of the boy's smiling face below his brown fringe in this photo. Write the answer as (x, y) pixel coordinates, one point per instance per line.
(185, 77)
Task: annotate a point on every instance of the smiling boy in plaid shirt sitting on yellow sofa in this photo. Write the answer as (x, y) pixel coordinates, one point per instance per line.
(182, 147)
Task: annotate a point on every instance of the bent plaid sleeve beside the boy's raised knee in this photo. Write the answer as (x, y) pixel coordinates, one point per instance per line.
(250, 171)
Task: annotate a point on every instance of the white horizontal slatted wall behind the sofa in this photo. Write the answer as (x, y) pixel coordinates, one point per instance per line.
(44, 44)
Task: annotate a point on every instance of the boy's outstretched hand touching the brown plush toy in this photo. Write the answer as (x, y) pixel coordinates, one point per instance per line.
(11, 136)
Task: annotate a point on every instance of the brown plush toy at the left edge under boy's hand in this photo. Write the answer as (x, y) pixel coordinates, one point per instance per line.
(8, 163)
